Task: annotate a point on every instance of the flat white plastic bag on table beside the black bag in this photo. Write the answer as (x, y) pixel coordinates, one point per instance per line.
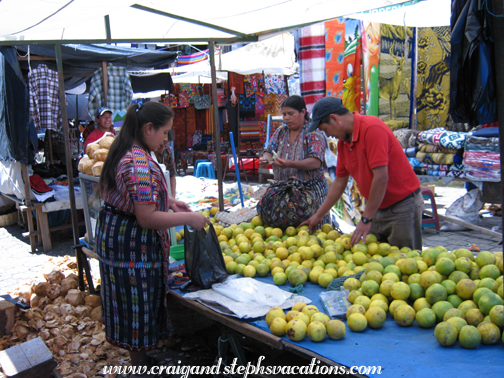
(248, 290)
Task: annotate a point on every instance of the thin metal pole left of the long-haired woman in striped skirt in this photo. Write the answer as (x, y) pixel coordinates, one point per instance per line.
(66, 132)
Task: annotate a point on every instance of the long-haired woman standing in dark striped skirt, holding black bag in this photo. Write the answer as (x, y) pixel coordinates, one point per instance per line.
(132, 242)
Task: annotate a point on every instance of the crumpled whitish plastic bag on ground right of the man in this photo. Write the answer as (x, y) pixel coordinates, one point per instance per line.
(465, 208)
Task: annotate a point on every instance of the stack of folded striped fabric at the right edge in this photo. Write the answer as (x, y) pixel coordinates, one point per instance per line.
(482, 155)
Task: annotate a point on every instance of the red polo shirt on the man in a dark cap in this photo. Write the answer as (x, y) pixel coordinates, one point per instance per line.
(374, 145)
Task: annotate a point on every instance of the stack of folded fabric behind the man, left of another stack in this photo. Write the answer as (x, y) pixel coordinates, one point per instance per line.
(440, 153)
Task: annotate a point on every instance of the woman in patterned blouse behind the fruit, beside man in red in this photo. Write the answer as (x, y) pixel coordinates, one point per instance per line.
(298, 153)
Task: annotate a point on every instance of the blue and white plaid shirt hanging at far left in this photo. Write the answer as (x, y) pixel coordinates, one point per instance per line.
(44, 98)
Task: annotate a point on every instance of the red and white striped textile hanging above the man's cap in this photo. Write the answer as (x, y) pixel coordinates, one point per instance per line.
(312, 64)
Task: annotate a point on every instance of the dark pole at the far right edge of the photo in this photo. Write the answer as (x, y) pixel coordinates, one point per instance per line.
(498, 36)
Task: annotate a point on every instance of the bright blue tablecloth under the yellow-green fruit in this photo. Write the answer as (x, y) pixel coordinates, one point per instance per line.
(401, 352)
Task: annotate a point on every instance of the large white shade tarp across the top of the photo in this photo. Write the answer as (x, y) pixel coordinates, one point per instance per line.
(83, 21)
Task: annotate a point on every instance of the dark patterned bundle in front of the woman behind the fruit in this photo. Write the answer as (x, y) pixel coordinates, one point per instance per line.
(288, 203)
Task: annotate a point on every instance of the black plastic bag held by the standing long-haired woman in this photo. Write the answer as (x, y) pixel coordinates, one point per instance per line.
(203, 258)
